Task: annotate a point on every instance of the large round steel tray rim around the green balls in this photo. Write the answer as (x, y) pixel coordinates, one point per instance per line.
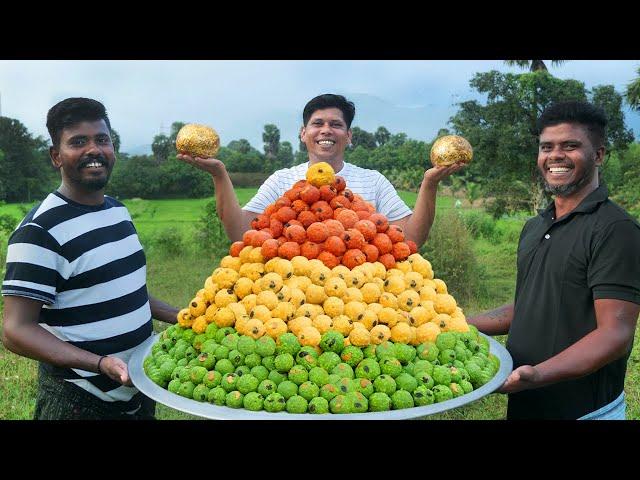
(208, 410)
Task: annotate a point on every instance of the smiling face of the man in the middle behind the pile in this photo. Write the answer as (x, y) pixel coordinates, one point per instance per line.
(326, 135)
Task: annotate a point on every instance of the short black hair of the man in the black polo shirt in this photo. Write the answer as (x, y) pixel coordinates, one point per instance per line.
(586, 114)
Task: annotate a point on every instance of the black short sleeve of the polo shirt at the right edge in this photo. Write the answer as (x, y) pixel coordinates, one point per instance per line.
(614, 270)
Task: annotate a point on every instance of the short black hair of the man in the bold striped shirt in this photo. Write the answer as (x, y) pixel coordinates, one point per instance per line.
(72, 111)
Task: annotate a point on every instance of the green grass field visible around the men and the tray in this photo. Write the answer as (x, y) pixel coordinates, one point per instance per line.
(175, 279)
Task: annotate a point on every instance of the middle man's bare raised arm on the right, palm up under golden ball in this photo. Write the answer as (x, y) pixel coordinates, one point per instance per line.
(417, 225)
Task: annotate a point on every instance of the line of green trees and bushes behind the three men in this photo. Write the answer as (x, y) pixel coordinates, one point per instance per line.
(501, 129)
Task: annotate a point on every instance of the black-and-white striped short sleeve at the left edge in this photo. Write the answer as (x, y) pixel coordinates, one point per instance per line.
(33, 264)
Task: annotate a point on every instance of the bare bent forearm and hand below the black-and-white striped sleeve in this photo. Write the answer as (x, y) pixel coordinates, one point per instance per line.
(23, 335)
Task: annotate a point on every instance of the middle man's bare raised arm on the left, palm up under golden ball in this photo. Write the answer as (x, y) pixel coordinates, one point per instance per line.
(235, 220)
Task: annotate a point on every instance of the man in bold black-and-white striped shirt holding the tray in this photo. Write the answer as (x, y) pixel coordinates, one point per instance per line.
(75, 288)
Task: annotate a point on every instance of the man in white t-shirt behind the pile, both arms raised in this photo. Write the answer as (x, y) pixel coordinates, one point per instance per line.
(326, 132)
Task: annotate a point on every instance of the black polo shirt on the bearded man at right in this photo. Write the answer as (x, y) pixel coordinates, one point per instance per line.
(563, 266)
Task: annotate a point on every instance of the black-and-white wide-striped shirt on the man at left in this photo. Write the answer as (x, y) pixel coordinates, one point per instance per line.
(87, 265)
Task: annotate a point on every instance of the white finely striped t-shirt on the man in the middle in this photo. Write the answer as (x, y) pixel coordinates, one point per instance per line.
(371, 185)
